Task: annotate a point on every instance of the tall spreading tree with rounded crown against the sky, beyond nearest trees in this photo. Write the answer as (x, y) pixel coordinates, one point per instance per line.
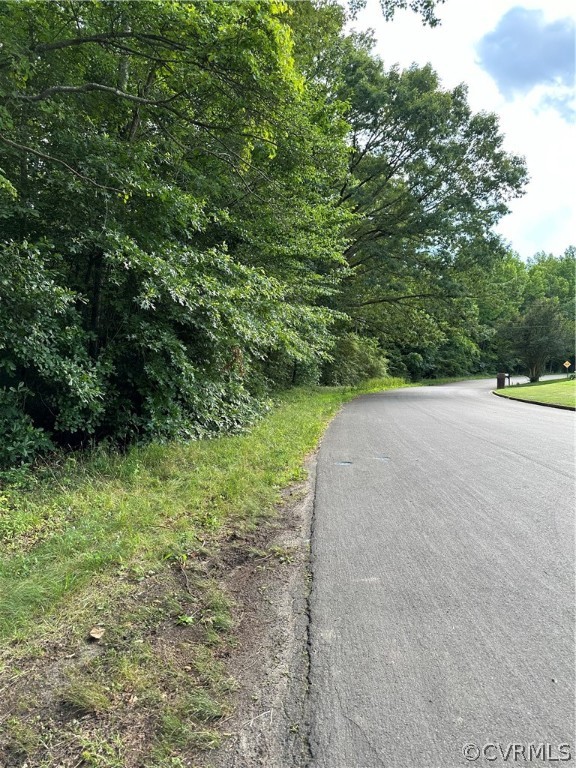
(427, 181)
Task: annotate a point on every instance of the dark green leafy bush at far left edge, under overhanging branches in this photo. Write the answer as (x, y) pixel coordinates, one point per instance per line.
(48, 381)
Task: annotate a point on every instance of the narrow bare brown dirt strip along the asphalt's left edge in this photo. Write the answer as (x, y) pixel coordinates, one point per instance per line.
(270, 664)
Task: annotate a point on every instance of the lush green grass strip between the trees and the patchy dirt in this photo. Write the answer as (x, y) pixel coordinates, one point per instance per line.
(111, 511)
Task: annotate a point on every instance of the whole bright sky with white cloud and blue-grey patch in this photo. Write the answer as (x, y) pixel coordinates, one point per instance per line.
(517, 58)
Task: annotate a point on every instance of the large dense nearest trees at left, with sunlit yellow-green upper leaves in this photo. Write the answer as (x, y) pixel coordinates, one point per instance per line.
(168, 217)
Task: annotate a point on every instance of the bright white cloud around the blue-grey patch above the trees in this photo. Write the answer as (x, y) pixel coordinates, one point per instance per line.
(545, 218)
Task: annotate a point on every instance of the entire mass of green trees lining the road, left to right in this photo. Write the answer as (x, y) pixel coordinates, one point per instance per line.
(202, 202)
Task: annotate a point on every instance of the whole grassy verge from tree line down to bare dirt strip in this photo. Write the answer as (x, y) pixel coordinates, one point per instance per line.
(135, 545)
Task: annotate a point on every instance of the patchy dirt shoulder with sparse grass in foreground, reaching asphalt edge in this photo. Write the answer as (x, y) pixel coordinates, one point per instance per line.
(46, 722)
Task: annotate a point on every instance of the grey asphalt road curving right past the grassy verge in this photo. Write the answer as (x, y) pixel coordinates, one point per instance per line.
(442, 607)
